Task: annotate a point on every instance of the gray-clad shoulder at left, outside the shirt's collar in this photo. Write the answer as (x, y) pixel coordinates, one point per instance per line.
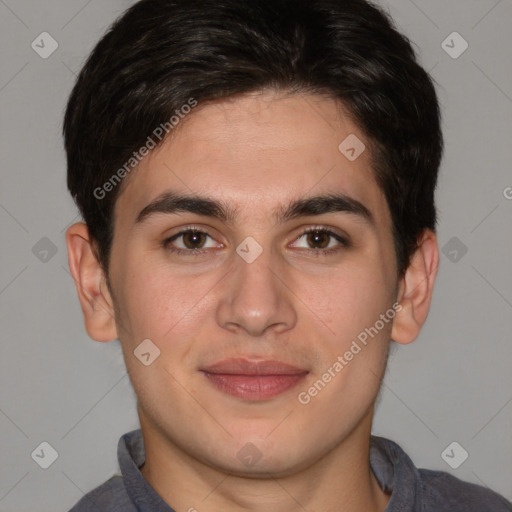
(110, 496)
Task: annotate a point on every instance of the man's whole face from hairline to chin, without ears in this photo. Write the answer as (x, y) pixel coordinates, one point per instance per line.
(256, 288)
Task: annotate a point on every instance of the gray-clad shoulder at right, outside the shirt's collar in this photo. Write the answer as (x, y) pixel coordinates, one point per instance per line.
(444, 492)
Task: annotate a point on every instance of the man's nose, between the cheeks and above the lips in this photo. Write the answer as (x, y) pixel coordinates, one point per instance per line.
(256, 298)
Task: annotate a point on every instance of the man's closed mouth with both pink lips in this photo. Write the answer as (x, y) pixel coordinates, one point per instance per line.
(253, 380)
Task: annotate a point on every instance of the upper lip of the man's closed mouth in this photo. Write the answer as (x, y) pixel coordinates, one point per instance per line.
(241, 366)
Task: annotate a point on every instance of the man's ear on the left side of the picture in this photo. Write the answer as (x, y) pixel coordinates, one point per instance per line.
(90, 281)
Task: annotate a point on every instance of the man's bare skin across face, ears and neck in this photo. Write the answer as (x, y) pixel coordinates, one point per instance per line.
(257, 153)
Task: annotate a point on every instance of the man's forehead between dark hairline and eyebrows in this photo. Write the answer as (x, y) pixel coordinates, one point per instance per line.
(257, 152)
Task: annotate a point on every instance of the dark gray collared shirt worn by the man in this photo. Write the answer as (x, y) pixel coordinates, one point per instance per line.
(412, 489)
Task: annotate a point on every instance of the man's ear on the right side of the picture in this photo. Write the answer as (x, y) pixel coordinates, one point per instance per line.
(415, 290)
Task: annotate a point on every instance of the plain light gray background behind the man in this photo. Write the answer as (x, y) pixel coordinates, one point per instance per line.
(453, 384)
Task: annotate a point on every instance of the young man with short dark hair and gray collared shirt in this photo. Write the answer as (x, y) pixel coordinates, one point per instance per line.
(257, 184)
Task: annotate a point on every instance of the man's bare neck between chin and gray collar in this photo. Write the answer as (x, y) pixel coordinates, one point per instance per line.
(342, 477)
